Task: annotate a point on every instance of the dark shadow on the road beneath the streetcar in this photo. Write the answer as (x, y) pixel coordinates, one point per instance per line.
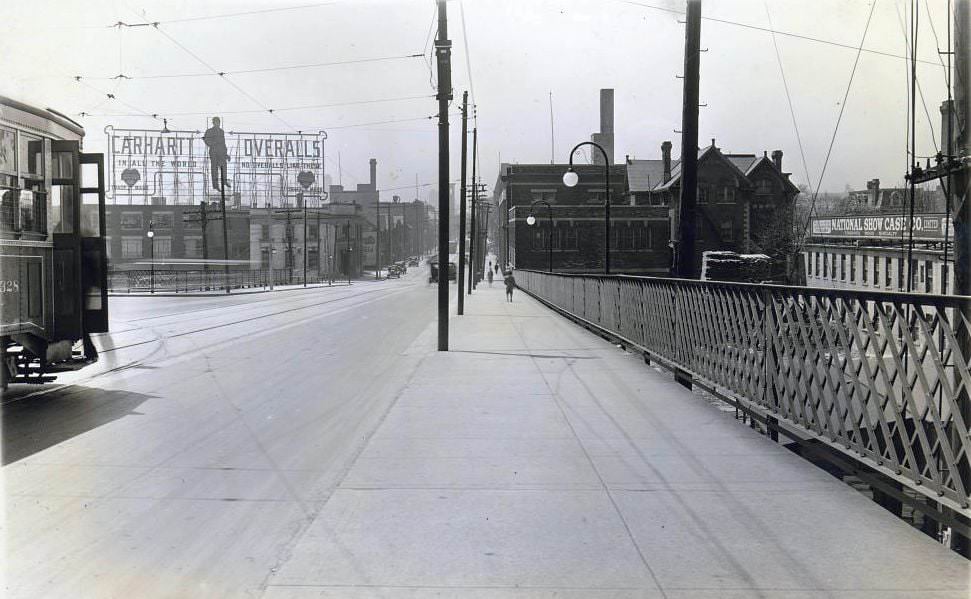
(33, 424)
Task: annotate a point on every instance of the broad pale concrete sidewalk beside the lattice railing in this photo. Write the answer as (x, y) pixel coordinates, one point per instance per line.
(537, 460)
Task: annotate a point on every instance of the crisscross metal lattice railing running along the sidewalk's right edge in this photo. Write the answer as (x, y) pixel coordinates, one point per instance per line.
(881, 377)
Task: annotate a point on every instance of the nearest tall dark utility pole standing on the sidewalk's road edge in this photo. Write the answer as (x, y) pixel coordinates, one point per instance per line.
(443, 51)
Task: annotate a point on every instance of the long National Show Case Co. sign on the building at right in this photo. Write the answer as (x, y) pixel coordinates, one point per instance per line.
(927, 227)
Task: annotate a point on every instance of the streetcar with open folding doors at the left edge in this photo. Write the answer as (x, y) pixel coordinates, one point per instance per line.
(53, 261)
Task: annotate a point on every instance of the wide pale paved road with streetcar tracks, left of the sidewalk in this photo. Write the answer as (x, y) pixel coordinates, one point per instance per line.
(188, 461)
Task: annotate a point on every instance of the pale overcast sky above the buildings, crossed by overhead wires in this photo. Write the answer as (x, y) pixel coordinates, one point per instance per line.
(518, 52)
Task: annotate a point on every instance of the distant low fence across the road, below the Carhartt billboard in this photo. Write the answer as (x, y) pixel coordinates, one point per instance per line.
(185, 281)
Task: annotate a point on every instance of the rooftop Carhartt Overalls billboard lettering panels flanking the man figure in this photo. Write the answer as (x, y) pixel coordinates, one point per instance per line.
(261, 168)
